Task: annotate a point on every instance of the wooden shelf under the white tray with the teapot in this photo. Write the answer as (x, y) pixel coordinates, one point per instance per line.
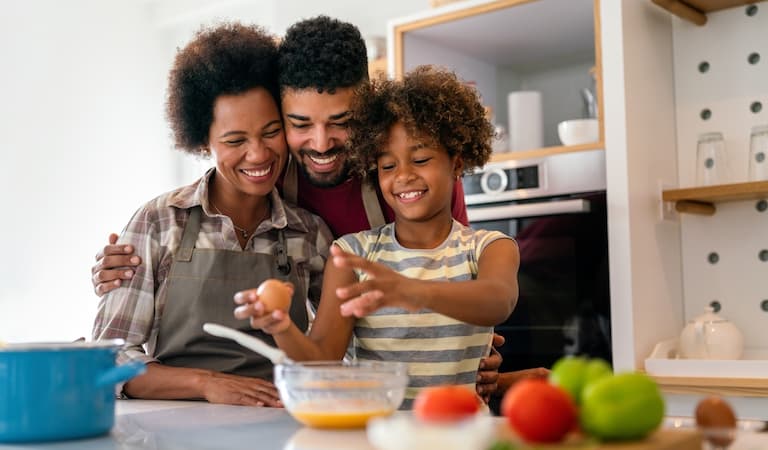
(738, 387)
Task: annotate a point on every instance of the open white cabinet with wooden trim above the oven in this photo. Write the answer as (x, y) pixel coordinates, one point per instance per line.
(549, 46)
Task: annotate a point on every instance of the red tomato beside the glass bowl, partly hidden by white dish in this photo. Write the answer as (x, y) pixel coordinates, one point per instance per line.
(445, 403)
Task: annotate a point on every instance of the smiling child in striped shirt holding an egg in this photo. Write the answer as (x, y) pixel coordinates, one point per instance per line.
(424, 289)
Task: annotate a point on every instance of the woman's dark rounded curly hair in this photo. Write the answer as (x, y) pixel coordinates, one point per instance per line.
(227, 59)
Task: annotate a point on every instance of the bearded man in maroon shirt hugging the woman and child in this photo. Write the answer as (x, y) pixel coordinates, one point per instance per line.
(321, 63)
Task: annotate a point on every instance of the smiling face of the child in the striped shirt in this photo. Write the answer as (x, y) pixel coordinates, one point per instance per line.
(416, 177)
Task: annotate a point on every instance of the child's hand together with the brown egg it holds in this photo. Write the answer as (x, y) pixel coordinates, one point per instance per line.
(266, 306)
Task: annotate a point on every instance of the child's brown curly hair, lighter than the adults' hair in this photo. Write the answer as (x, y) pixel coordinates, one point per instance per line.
(433, 105)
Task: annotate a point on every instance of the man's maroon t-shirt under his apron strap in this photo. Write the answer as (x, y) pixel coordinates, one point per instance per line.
(341, 207)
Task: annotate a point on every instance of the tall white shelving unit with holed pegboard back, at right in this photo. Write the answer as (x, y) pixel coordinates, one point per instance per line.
(665, 268)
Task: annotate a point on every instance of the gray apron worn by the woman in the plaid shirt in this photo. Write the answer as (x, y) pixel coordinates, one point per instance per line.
(201, 284)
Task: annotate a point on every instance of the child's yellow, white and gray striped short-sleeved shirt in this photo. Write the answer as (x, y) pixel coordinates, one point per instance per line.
(437, 348)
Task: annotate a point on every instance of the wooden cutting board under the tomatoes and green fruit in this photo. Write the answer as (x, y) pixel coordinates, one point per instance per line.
(662, 439)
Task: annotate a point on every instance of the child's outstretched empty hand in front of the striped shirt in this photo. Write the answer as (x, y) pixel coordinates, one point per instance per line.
(384, 287)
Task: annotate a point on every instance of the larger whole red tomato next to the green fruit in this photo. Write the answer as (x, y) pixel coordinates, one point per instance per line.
(539, 411)
